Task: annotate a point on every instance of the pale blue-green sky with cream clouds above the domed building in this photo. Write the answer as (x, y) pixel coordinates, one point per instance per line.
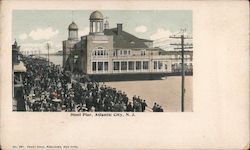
(34, 28)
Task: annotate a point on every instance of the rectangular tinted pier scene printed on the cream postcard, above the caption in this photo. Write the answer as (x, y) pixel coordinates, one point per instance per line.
(102, 61)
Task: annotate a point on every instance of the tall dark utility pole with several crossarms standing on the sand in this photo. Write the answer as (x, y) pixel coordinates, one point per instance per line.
(183, 47)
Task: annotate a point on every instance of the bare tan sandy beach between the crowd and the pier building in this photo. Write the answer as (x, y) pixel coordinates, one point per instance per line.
(165, 92)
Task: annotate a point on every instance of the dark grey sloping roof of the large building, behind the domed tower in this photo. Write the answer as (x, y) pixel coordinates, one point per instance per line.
(125, 39)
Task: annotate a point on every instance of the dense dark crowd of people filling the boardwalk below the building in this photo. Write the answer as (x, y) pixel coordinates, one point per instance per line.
(48, 88)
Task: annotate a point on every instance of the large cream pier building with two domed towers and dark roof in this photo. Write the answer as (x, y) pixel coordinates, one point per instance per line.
(112, 51)
